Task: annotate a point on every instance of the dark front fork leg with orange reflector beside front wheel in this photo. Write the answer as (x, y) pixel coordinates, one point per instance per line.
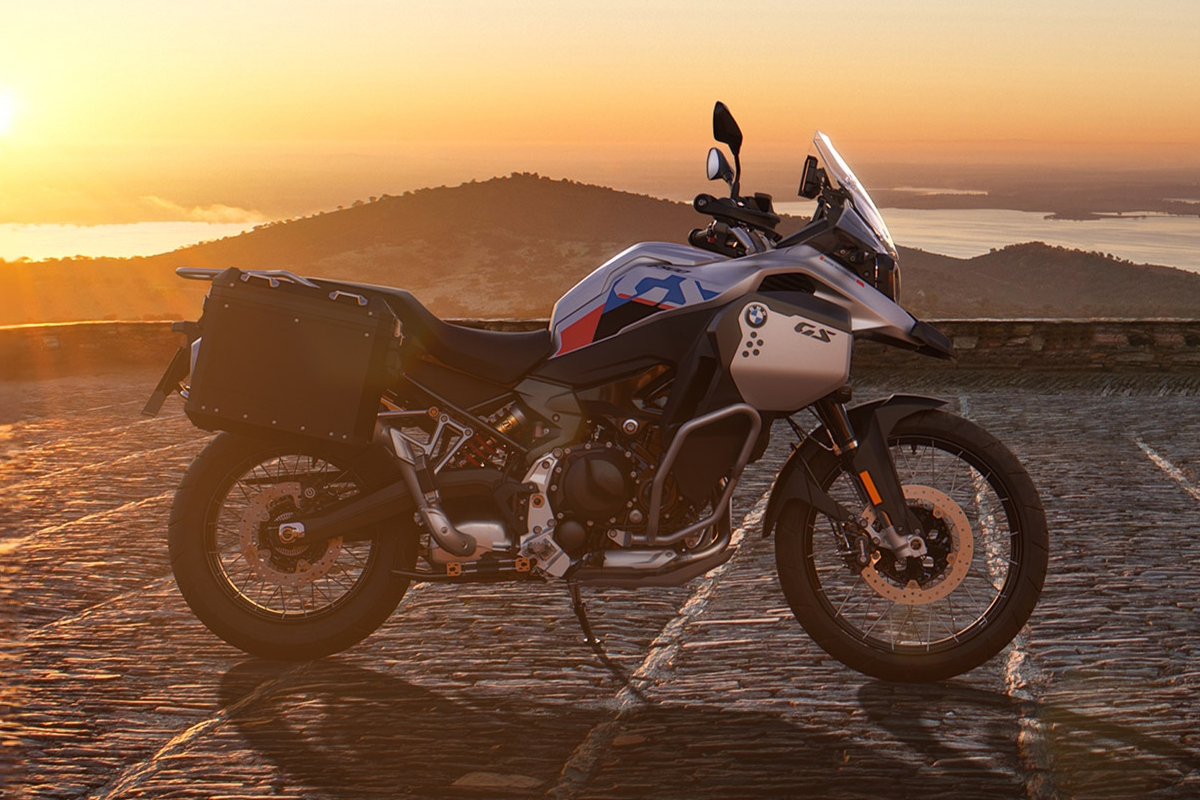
(868, 462)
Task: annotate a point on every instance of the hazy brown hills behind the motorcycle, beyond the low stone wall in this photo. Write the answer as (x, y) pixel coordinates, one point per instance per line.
(512, 246)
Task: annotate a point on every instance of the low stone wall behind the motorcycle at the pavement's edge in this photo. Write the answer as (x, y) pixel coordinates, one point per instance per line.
(1093, 346)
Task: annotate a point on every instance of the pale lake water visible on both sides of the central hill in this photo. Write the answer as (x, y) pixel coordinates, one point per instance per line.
(1144, 239)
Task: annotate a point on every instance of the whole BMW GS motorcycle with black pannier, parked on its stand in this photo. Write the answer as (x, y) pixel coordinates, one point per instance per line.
(367, 444)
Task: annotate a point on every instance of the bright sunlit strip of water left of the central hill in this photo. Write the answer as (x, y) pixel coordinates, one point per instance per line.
(40, 243)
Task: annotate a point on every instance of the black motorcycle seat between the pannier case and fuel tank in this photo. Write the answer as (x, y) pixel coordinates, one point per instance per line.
(500, 357)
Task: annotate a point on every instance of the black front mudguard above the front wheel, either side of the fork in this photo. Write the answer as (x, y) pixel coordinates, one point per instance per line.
(796, 482)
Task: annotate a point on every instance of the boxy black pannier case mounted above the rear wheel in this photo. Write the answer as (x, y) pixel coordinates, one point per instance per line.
(292, 359)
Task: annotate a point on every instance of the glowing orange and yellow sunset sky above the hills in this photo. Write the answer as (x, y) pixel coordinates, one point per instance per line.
(145, 110)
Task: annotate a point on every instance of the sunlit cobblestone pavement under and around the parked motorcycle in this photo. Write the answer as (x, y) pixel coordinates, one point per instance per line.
(112, 689)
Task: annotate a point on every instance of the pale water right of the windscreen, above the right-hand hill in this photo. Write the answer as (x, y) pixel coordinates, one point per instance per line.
(1137, 237)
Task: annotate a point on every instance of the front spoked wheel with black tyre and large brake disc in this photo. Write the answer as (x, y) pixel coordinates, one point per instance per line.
(943, 615)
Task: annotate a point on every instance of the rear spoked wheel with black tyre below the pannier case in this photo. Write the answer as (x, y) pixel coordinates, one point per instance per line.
(256, 584)
